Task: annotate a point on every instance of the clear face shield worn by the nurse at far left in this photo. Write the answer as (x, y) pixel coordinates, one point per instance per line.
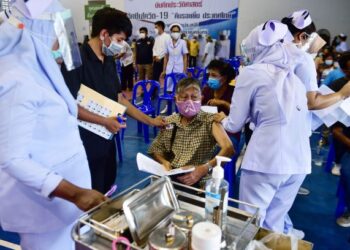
(67, 39)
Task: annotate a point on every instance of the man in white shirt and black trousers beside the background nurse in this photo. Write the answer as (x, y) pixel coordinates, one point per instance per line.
(159, 49)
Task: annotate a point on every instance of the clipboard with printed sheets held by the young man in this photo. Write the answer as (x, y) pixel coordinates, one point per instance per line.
(100, 105)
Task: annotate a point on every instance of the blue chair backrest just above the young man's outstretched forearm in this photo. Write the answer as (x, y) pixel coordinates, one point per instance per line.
(148, 87)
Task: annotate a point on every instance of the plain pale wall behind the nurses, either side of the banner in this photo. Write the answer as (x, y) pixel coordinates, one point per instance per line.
(330, 14)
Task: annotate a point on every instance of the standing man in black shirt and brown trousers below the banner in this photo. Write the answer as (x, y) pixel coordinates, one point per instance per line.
(144, 54)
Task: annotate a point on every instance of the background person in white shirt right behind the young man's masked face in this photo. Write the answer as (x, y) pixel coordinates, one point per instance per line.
(126, 59)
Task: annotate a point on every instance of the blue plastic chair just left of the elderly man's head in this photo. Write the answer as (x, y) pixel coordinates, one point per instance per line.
(169, 97)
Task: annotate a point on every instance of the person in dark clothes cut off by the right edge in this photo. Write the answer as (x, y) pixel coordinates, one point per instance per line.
(341, 135)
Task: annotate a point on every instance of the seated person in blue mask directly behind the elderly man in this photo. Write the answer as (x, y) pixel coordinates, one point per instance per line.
(219, 90)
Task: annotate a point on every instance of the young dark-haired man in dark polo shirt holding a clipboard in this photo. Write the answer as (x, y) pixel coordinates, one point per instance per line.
(110, 27)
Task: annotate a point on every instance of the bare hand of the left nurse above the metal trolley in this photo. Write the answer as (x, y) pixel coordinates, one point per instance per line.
(88, 199)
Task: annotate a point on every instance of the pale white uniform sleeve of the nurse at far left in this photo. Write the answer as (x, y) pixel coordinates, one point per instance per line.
(19, 103)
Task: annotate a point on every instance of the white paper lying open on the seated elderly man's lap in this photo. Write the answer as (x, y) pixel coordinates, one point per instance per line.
(149, 165)
